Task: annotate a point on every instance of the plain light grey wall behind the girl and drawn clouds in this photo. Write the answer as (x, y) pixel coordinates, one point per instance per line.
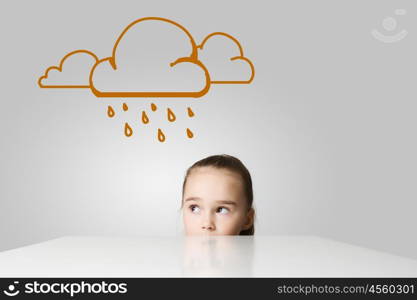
(327, 128)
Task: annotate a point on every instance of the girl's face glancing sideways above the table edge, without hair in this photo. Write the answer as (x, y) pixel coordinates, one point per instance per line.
(214, 203)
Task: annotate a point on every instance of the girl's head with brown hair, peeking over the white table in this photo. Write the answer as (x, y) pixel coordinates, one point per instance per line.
(217, 197)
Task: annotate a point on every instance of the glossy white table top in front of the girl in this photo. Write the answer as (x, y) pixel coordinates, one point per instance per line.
(221, 256)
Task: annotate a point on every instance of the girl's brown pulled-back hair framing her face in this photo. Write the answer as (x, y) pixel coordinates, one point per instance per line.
(233, 164)
